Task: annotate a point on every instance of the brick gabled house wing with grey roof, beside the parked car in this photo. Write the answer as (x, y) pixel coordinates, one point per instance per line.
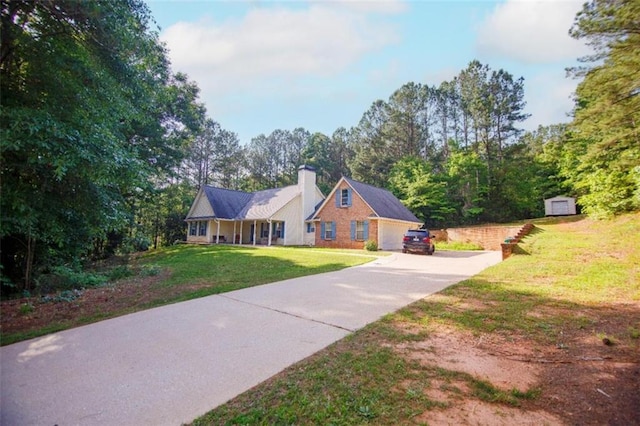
(355, 212)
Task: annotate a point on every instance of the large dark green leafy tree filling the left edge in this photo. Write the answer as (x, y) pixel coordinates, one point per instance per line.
(90, 117)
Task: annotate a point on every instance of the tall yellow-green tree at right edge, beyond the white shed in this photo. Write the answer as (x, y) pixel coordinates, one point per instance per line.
(602, 158)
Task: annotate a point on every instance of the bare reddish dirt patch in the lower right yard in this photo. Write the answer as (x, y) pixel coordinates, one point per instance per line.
(584, 381)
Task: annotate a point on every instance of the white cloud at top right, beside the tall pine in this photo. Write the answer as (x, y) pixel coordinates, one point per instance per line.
(532, 31)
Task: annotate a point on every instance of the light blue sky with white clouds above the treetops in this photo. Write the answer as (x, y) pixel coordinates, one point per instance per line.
(264, 65)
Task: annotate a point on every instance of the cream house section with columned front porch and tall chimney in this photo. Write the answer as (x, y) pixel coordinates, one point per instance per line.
(269, 217)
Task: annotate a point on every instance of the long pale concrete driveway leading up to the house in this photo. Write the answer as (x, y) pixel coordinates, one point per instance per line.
(169, 365)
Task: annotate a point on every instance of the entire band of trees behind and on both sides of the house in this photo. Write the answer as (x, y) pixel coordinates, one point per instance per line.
(104, 147)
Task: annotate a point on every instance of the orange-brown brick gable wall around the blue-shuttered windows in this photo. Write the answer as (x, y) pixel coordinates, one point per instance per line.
(343, 216)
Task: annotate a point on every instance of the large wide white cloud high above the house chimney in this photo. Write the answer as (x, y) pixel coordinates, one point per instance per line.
(273, 43)
